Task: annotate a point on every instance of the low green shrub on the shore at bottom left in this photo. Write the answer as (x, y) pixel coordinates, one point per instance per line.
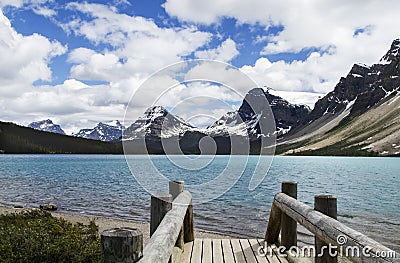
(37, 236)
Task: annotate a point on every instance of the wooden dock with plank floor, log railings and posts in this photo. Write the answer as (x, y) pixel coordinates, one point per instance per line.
(172, 235)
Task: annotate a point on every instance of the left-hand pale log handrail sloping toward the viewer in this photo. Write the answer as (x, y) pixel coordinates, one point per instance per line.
(160, 246)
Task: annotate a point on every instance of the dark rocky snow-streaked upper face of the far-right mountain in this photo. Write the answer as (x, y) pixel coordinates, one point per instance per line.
(363, 87)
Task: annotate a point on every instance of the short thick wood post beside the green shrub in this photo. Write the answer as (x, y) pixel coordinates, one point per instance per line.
(121, 245)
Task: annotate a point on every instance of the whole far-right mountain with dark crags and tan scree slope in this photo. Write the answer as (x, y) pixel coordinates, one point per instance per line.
(361, 113)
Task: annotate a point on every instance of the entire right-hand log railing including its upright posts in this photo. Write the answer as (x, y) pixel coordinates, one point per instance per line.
(286, 212)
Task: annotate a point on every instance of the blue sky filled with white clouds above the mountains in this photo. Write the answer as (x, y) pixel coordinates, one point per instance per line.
(78, 63)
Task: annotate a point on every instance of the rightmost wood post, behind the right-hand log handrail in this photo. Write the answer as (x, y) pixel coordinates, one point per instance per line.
(326, 204)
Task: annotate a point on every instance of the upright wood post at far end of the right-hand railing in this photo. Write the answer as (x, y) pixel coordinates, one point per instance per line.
(288, 225)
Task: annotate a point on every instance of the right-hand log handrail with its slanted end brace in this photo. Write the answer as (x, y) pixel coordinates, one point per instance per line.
(325, 228)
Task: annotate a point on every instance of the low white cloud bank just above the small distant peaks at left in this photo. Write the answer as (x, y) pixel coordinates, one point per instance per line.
(70, 104)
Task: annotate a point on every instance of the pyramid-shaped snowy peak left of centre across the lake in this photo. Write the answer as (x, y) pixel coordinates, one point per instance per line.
(157, 122)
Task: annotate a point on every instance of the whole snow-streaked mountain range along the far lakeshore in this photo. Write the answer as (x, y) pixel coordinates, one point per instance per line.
(361, 116)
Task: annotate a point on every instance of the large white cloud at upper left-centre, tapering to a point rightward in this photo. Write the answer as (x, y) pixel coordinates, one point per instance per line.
(140, 46)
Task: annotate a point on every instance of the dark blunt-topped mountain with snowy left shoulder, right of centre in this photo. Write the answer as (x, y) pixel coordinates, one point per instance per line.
(248, 120)
